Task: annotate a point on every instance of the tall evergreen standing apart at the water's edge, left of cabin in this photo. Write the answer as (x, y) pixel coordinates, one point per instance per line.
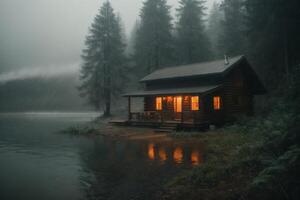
(103, 57)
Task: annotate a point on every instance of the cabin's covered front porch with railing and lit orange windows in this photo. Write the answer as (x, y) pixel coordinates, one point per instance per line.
(181, 110)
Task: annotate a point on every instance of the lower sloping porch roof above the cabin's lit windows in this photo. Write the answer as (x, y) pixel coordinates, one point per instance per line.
(173, 91)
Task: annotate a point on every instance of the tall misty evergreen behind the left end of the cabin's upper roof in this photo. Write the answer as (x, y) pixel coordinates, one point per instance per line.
(153, 46)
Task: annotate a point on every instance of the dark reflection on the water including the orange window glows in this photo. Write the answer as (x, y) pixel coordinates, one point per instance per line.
(129, 169)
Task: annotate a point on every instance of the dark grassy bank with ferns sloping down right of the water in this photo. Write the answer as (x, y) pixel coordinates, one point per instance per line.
(257, 158)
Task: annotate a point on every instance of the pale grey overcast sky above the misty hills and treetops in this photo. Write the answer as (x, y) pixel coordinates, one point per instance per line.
(43, 33)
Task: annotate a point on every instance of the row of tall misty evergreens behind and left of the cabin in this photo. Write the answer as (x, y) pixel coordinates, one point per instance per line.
(267, 31)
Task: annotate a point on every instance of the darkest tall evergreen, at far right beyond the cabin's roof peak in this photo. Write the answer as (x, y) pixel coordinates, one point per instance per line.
(274, 29)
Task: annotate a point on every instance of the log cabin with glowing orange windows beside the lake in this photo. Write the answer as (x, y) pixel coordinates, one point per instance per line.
(197, 94)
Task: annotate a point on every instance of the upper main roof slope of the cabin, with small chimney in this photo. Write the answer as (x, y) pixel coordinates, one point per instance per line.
(197, 69)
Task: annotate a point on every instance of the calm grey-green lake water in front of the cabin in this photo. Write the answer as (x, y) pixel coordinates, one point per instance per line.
(37, 162)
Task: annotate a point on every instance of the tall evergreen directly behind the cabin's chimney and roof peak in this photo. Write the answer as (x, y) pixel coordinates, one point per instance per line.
(232, 36)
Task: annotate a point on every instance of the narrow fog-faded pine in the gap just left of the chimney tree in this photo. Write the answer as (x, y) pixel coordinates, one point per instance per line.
(214, 28)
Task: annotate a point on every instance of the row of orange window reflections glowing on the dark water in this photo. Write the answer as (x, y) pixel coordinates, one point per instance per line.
(178, 154)
